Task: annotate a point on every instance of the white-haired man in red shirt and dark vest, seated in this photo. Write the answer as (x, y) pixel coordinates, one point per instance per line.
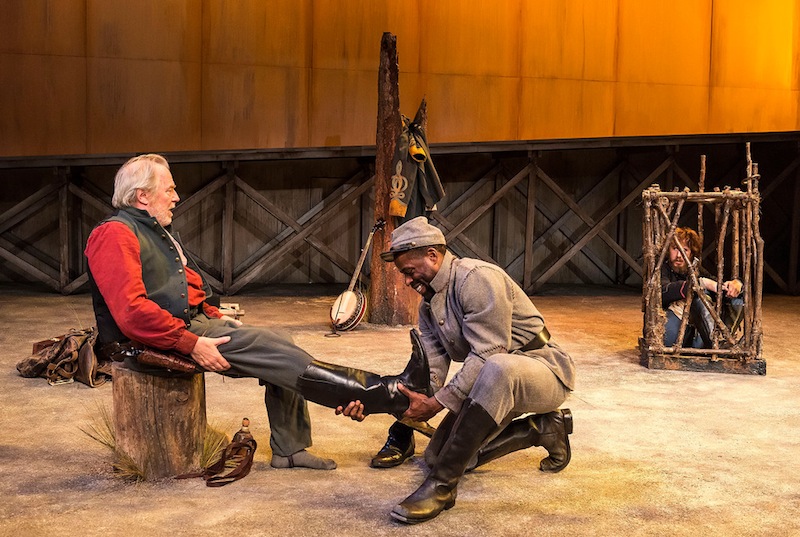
(147, 290)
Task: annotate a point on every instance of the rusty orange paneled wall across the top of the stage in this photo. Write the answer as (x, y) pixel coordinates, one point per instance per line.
(103, 77)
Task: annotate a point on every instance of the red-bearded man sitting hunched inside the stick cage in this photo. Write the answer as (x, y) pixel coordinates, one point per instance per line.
(675, 282)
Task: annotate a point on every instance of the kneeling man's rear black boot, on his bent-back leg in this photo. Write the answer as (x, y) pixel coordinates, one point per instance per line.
(550, 431)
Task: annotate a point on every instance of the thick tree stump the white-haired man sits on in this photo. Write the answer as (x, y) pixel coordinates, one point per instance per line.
(159, 422)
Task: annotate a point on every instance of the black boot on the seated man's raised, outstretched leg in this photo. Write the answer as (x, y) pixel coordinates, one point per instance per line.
(334, 385)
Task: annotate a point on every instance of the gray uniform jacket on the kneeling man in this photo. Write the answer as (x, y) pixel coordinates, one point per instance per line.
(478, 311)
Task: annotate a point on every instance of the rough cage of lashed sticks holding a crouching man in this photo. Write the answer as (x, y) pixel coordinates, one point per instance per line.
(739, 254)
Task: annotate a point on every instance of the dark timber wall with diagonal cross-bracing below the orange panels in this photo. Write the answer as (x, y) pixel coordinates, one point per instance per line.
(237, 216)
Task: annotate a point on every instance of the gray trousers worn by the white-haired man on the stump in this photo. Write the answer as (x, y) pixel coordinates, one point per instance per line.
(273, 358)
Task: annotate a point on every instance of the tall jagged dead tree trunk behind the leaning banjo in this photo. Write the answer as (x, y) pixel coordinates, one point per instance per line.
(390, 300)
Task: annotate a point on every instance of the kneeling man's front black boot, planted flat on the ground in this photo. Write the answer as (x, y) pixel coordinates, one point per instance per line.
(438, 491)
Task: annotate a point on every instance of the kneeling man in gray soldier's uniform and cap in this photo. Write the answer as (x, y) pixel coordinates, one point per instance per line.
(474, 313)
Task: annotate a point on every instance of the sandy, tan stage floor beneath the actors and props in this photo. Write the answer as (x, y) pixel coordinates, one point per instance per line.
(654, 452)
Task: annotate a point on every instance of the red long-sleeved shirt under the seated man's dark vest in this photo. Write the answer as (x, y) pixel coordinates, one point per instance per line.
(115, 262)
